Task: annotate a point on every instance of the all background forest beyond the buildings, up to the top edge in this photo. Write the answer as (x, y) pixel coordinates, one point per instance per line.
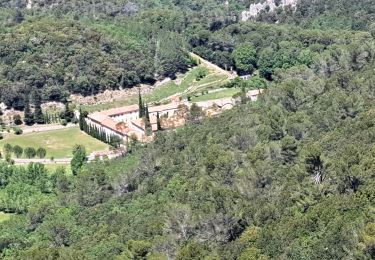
(85, 47)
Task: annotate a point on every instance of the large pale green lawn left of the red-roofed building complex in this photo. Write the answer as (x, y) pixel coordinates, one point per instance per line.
(58, 143)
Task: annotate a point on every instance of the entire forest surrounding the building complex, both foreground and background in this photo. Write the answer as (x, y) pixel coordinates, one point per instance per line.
(290, 176)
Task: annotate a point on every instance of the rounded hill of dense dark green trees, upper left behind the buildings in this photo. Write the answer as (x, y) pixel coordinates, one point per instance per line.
(58, 64)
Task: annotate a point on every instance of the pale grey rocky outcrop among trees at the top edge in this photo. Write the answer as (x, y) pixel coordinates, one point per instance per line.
(268, 5)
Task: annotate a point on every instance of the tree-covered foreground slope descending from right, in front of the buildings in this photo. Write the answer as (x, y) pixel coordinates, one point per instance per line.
(288, 177)
